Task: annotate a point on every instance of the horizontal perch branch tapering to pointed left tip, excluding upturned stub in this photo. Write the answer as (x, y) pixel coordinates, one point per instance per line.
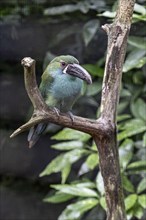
(91, 127)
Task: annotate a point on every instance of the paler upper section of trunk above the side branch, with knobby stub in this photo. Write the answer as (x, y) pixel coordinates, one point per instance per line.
(117, 41)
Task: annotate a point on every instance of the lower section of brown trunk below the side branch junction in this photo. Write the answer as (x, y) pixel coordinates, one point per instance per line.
(110, 170)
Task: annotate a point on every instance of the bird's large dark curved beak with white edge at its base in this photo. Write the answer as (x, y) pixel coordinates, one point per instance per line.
(78, 71)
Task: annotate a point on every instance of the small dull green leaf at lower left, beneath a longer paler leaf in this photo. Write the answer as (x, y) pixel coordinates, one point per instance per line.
(58, 198)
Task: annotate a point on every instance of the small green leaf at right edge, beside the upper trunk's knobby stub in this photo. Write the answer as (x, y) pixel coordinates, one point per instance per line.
(138, 42)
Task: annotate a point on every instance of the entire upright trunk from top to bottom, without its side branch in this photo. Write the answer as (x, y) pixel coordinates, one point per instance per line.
(107, 145)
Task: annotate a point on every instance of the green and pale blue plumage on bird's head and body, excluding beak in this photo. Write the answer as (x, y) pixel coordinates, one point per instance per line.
(60, 90)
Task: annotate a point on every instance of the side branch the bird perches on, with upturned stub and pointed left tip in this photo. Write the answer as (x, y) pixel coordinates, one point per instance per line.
(43, 113)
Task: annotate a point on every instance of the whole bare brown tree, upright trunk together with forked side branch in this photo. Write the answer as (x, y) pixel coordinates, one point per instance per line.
(103, 130)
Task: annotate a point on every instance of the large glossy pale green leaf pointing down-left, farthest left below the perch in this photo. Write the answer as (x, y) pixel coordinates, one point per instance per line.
(63, 160)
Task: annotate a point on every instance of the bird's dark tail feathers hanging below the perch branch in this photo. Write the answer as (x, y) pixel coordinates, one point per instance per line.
(35, 133)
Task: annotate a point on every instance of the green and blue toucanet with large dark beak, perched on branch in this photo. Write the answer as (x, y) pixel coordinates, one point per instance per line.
(60, 87)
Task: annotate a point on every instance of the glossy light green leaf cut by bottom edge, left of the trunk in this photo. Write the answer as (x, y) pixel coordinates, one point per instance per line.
(76, 210)
